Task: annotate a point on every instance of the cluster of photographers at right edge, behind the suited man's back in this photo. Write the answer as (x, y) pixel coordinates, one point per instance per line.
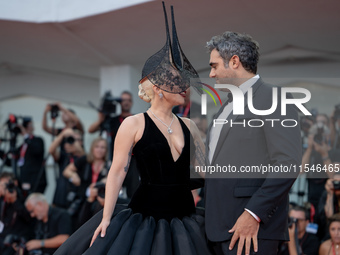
(315, 226)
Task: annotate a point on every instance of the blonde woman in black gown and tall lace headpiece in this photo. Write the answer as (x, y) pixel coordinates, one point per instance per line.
(161, 217)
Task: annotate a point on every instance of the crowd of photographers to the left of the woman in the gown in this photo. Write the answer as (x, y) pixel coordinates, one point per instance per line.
(28, 223)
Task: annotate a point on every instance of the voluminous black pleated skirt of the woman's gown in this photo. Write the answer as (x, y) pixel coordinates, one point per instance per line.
(131, 233)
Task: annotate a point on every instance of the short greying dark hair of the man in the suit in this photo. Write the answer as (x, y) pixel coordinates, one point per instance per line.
(242, 45)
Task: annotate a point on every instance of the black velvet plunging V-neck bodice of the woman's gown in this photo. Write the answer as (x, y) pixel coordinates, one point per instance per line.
(164, 191)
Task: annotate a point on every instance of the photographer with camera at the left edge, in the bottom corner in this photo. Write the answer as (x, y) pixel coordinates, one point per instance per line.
(14, 218)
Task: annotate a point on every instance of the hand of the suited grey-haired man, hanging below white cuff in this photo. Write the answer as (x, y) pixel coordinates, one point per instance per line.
(245, 230)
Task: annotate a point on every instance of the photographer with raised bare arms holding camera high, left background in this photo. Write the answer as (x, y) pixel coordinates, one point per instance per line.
(68, 116)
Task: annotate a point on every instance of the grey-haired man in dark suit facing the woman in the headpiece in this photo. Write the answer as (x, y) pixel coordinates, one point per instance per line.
(244, 214)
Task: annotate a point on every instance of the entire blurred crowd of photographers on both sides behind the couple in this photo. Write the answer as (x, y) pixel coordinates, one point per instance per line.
(30, 225)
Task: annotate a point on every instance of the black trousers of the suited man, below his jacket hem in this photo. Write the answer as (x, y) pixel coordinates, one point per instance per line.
(265, 247)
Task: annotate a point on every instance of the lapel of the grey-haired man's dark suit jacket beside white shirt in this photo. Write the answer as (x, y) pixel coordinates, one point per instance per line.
(225, 130)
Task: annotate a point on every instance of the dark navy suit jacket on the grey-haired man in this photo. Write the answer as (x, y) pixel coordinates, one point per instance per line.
(226, 198)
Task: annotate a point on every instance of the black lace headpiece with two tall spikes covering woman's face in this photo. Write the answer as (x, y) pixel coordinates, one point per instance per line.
(169, 69)
